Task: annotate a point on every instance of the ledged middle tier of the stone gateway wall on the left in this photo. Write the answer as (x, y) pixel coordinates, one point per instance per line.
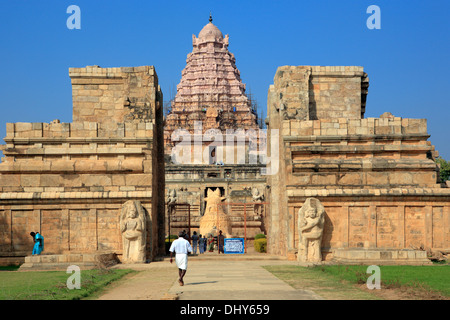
(77, 157)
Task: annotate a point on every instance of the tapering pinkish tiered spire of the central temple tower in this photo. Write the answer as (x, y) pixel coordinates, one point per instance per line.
(210, 90)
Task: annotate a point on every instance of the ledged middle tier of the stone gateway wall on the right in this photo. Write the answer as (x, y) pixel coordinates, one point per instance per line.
(359, 153)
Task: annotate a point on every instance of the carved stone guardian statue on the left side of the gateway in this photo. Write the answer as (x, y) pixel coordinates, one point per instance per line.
(132, 227)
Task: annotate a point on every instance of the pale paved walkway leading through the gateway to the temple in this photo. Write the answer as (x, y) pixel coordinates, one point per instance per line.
(209, 277)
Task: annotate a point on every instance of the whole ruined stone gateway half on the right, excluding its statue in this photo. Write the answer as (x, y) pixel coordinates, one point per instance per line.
(376, 177)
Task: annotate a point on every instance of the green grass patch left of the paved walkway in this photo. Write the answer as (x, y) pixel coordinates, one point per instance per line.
(51, 285)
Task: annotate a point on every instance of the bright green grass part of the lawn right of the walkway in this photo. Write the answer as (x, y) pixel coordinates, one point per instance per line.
(435, 278)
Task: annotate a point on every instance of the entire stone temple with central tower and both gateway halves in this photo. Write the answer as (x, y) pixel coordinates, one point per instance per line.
(320, 180)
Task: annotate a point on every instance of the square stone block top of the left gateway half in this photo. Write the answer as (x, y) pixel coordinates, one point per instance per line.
(119, 94)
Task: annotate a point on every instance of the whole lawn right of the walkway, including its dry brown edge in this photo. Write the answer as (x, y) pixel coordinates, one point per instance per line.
(348, 282)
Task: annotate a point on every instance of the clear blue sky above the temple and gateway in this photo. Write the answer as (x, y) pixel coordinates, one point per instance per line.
(407, 60)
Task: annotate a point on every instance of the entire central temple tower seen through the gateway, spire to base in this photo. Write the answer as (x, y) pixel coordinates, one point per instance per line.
(210, 106)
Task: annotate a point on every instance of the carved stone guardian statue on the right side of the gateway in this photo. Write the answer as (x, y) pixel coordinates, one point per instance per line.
(311, 218)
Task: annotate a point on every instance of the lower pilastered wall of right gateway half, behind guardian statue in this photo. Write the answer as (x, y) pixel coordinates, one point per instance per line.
(391, 219)
